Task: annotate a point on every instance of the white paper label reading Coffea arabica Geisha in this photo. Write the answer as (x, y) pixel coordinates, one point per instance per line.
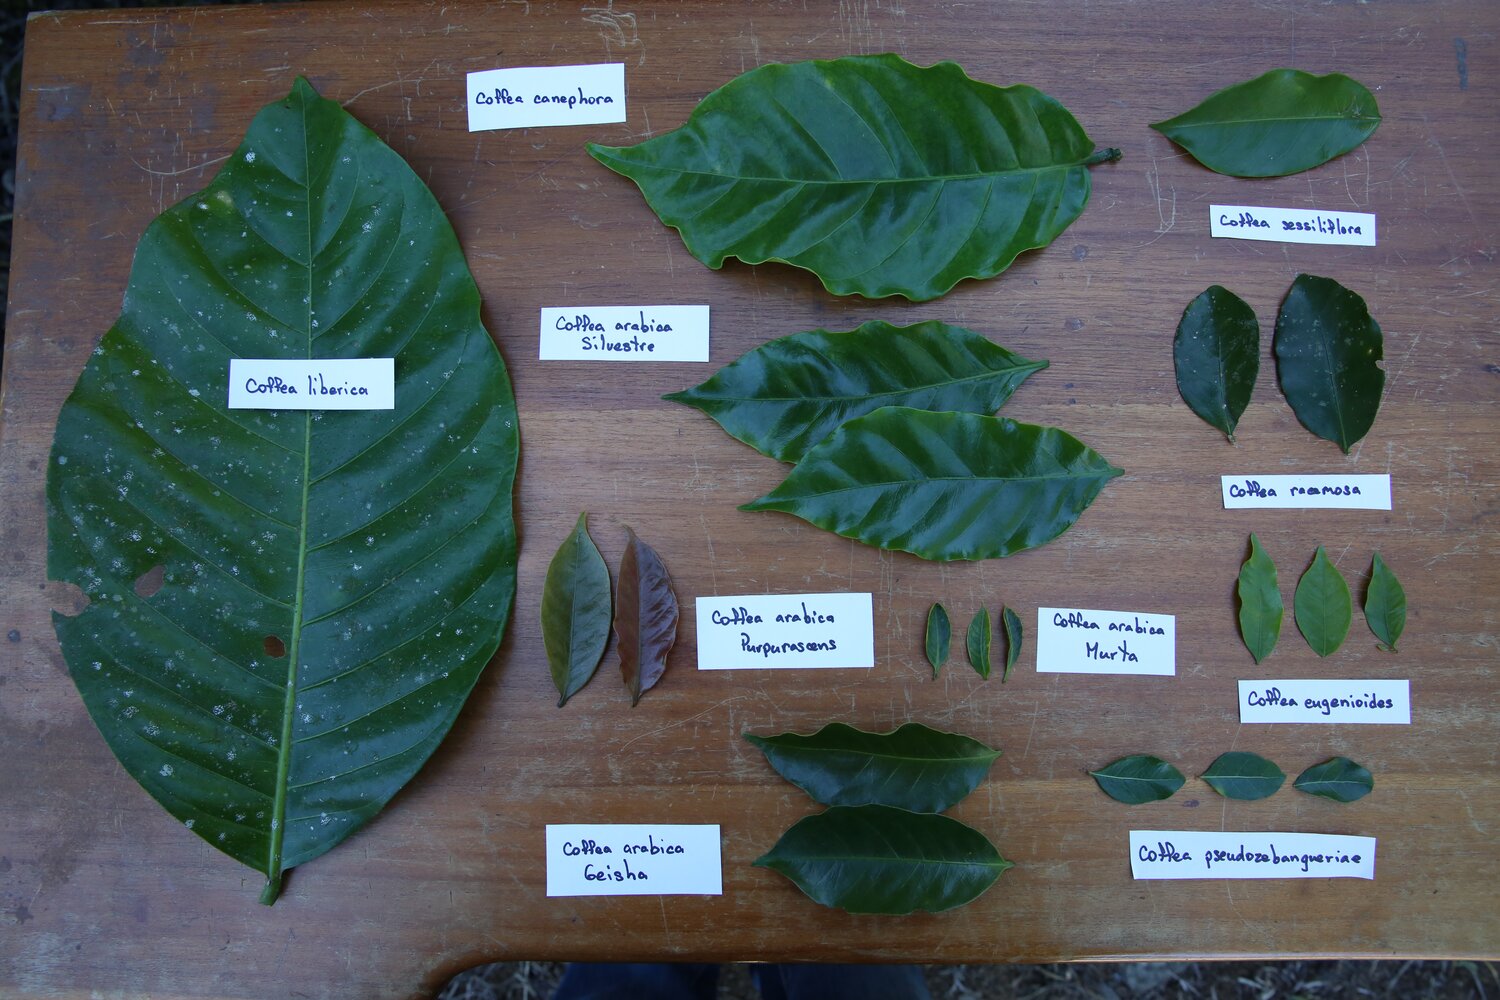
(634, 860)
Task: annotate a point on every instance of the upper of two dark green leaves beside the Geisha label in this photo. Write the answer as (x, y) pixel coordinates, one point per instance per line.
(913, 768)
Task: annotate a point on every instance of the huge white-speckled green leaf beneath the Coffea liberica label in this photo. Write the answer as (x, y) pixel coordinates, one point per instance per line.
(332, 584)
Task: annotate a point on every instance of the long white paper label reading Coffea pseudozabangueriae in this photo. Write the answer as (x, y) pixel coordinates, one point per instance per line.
(1220, 855)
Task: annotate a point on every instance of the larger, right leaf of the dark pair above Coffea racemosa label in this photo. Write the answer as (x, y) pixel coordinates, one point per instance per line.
(1328, 359)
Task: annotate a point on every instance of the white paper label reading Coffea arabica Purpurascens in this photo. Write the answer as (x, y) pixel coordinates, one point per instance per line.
(785, 630)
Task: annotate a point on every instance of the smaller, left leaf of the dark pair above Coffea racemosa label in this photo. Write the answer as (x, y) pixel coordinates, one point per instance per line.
(1217, 356)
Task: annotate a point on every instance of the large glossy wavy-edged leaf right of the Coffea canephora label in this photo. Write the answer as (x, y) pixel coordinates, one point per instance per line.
(881, 178)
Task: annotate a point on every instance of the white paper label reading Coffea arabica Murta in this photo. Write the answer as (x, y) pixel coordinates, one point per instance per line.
(1079, 641)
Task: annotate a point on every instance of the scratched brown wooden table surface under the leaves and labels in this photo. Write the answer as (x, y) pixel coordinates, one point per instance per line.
(128, 112)
